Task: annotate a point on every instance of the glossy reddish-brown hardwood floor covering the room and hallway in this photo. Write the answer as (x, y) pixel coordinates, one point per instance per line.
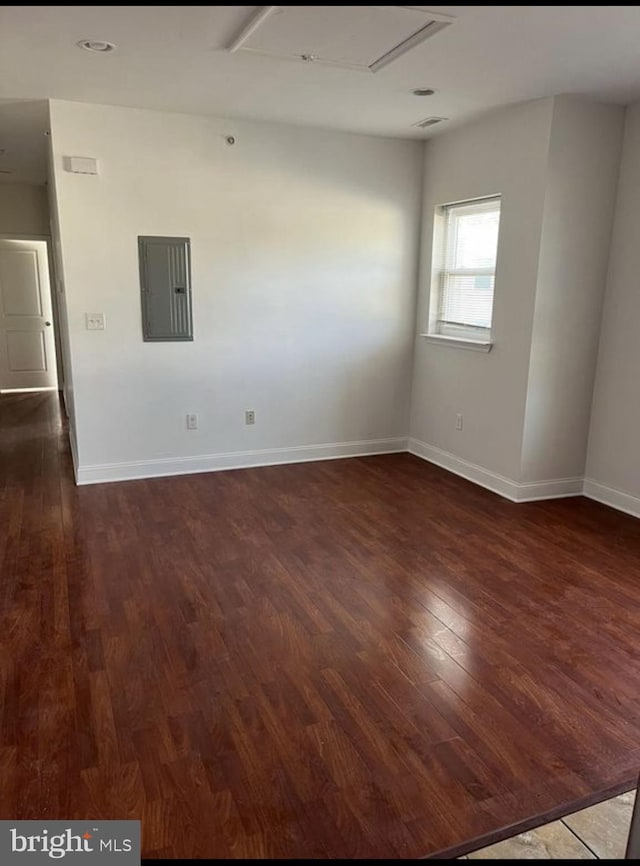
(355, 658)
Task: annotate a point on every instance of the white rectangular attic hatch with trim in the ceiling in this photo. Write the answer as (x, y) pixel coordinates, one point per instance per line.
(362, 38)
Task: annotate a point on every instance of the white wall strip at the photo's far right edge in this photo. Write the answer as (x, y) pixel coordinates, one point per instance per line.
(613, 466)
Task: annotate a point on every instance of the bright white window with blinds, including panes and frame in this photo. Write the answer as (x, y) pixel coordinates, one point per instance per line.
(465, 249)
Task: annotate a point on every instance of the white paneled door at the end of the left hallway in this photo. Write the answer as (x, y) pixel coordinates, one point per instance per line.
(27, 346)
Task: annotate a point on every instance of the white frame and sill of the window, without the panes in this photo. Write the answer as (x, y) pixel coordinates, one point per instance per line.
(450, 333)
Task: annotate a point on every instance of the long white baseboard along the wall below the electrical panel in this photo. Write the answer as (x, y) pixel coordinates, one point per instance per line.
(235, 460)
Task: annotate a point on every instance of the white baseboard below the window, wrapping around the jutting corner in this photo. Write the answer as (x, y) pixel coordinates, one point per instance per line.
(516, 491)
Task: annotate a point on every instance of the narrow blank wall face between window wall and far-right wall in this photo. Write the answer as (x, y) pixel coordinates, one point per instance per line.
(582, 173)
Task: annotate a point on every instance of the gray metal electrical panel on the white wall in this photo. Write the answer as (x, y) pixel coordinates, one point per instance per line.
(165, 288)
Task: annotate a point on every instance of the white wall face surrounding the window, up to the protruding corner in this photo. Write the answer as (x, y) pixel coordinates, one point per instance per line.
(504, 153)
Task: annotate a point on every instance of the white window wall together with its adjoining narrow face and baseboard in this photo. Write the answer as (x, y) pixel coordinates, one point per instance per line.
(526, 405)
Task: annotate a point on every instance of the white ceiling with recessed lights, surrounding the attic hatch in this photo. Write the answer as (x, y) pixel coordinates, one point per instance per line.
(174, 58)
